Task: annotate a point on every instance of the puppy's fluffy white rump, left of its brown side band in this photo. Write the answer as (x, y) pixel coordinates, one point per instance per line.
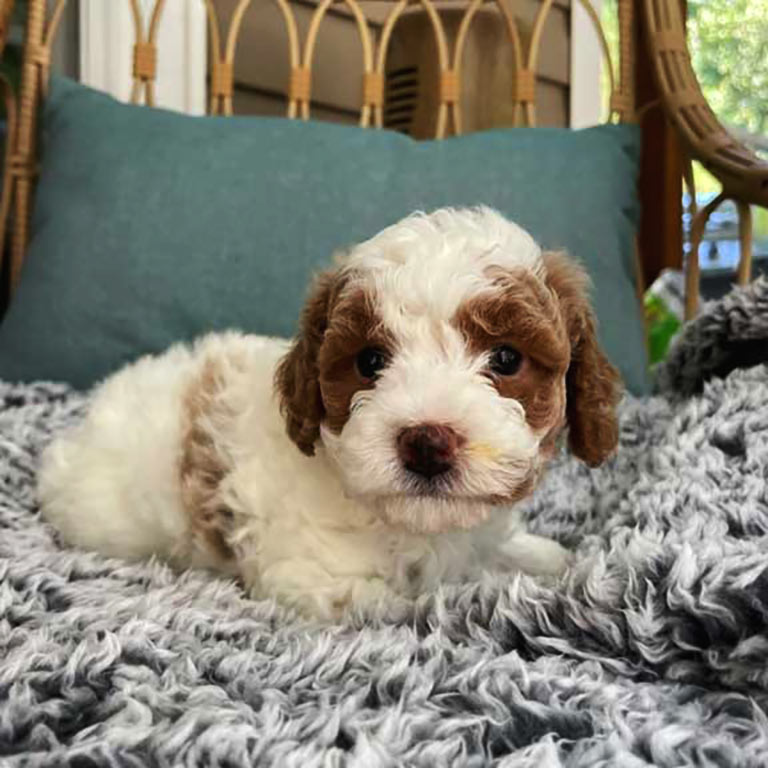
(111, 482)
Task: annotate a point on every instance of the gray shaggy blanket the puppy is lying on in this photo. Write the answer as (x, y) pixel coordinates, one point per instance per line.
(652, 652)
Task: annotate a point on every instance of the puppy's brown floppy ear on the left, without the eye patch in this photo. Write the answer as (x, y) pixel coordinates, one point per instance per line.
(297, 377)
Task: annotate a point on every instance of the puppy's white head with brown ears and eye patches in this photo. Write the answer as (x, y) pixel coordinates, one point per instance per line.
(439, 364)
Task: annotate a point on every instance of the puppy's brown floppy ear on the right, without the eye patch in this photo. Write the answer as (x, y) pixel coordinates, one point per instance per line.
(593, 385)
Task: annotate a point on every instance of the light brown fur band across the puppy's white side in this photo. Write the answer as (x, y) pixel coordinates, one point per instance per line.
(203, 466)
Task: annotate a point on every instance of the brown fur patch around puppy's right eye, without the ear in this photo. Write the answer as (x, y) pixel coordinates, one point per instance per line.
(525, 315)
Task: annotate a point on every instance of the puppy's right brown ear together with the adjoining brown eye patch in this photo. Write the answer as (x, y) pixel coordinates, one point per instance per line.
(552, 324)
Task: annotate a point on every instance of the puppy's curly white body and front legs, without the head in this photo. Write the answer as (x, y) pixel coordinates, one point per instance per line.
(115, 484)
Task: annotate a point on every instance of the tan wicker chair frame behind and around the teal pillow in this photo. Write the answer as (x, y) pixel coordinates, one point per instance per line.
(744, 177)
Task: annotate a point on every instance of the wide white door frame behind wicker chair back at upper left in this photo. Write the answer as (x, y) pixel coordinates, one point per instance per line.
(106, 51)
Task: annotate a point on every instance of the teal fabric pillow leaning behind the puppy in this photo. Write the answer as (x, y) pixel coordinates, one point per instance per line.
(150, 227)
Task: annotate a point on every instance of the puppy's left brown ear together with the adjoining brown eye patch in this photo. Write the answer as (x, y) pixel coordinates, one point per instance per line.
(318, 377)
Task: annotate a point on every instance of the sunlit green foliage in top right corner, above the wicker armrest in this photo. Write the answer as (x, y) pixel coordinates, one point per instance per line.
(729, 45)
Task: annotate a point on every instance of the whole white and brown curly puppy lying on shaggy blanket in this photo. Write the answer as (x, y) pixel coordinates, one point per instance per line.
(433, 372)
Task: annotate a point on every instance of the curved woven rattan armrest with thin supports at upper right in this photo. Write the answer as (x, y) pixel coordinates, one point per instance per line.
(742, 174)
